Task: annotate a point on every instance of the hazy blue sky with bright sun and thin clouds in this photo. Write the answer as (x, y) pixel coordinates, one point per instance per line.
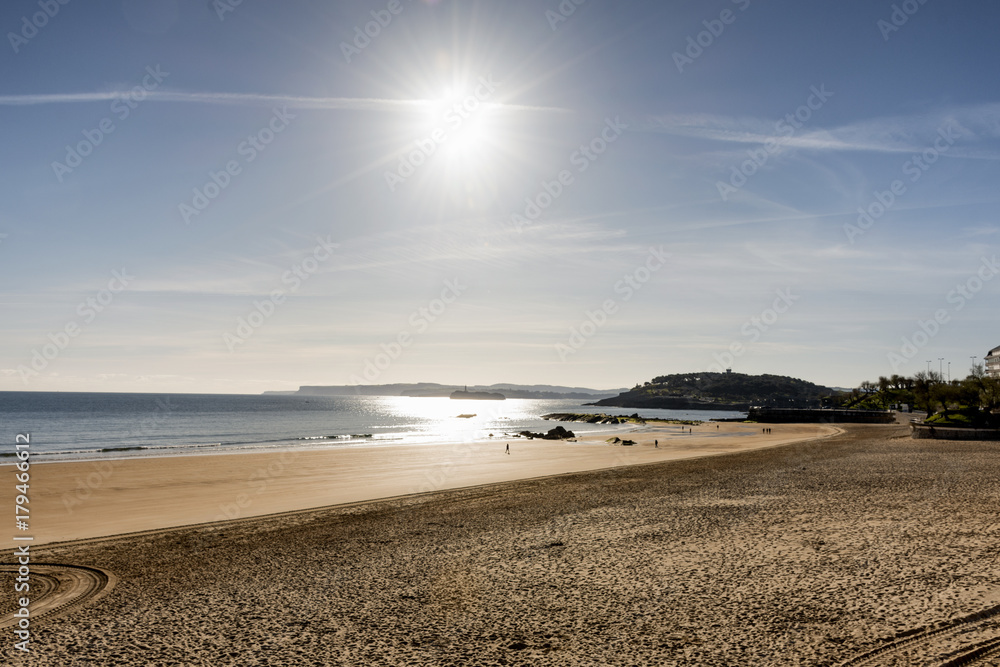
(625, 190)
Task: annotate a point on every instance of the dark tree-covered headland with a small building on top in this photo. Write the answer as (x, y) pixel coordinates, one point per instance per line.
(720, 391)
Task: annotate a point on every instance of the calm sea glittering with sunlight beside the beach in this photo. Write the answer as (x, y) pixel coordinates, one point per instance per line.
(81, 426)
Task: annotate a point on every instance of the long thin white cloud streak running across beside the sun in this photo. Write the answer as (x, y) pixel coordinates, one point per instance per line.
(255, 99)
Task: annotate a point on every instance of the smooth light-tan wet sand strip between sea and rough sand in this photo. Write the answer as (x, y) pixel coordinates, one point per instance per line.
(105, 497)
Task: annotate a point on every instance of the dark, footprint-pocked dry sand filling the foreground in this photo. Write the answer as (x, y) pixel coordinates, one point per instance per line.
(806, 554)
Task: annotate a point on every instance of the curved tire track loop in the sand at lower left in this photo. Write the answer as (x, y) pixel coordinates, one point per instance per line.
(63, 589)
